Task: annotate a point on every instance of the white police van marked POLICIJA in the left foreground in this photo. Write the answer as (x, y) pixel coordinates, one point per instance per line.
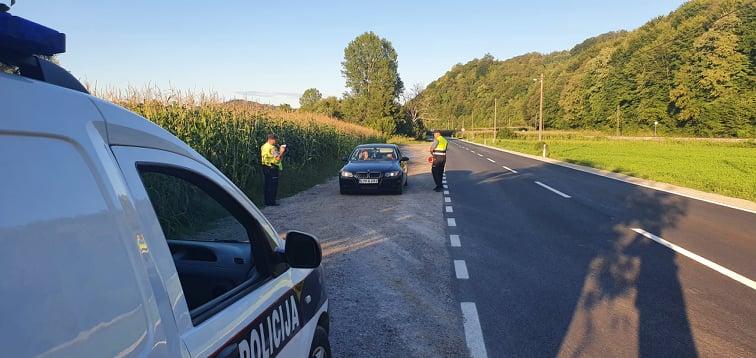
(117, 239)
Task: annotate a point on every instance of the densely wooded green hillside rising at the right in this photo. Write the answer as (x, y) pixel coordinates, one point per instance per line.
(693, 71)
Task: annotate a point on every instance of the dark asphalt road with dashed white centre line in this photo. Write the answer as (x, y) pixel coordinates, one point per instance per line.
(556, 269)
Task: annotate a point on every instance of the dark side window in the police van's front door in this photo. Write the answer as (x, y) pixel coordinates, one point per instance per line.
(211, 239)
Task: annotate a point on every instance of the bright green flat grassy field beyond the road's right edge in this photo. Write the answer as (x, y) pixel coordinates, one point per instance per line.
(726, 168)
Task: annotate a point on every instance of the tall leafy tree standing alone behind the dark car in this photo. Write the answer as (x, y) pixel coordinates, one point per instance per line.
(370, 68)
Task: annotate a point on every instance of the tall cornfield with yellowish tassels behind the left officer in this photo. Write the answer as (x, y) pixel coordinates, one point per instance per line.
(230, 135)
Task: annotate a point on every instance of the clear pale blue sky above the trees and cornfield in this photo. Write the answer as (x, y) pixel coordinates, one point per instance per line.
(274, 50)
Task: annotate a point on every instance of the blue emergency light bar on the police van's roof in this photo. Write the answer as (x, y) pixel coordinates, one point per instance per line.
(25, 37)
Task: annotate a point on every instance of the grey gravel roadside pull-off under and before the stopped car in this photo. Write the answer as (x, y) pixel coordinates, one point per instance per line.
(388, 270)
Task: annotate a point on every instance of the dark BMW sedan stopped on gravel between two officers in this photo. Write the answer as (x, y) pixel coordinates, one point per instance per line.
(374, 168)
